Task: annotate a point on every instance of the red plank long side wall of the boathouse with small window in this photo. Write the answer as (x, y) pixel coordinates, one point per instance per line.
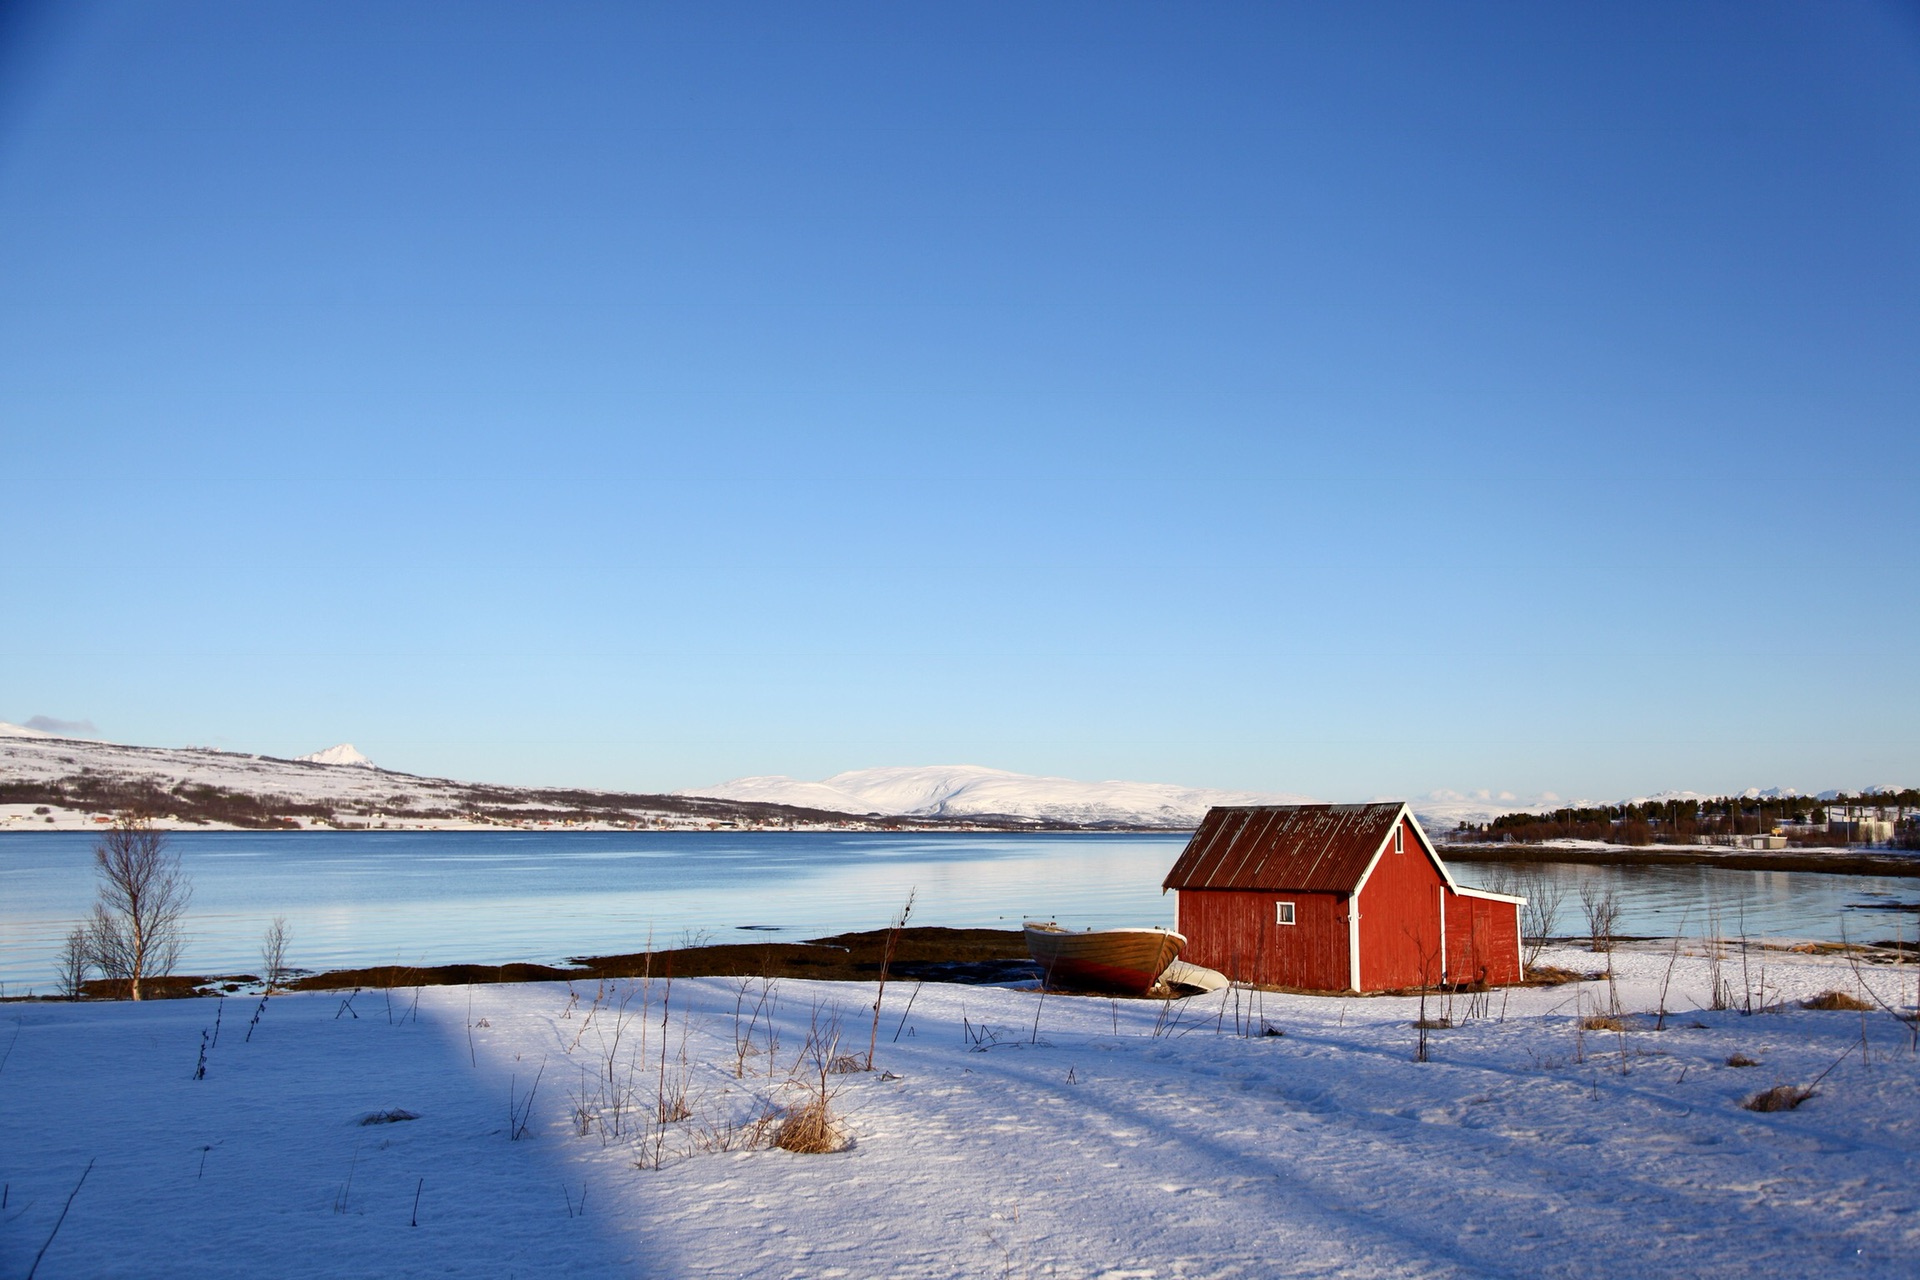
(1236, 932)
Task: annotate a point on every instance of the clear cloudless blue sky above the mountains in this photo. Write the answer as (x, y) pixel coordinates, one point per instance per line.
(1339, 400)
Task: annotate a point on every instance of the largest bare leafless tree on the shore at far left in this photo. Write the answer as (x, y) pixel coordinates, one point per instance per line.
(135, 932)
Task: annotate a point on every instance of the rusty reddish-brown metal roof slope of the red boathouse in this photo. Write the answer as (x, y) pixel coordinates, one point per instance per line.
(1284, 847)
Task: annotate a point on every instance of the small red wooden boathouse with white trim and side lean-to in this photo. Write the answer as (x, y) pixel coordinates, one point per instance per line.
(1337, 897)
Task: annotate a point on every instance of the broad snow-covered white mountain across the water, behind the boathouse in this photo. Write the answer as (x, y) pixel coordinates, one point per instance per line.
(976, 792)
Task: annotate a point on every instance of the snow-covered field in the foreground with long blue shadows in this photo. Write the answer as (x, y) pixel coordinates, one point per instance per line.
(997, 1137)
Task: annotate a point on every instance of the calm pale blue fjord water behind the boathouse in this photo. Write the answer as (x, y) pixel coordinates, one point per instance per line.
(494, 897)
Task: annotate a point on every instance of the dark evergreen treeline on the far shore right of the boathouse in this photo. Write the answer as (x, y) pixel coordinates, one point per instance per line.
(1687, 820)
